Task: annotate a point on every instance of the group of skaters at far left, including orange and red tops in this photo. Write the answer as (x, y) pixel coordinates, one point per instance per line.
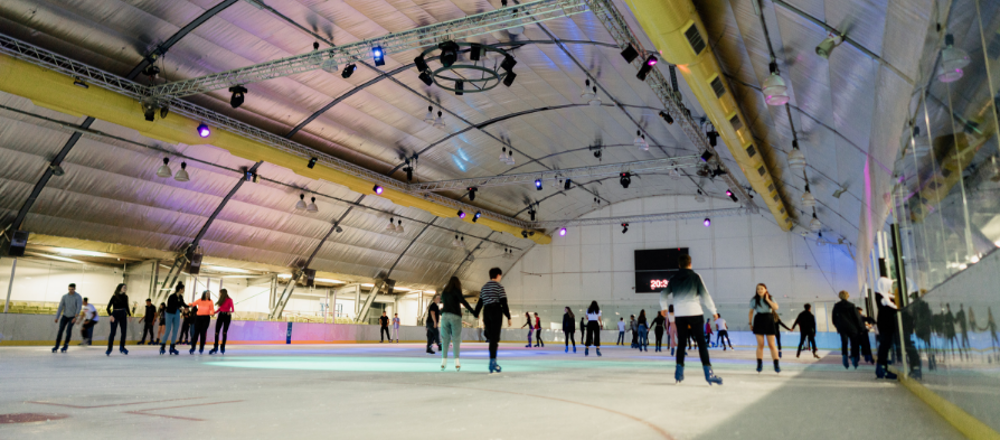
(197, 318)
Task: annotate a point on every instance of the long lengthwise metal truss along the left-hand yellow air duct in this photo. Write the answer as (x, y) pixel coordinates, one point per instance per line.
(96, 77)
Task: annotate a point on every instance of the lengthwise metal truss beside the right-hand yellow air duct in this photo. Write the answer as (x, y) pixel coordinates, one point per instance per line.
(616, 25)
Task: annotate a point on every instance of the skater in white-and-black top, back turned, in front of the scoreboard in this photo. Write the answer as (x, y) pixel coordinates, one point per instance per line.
(687, 293)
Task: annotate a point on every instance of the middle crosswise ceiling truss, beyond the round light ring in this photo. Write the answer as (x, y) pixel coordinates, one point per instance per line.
(636, 167)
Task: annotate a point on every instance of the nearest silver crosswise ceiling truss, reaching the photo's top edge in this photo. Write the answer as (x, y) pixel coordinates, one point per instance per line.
(457, 29)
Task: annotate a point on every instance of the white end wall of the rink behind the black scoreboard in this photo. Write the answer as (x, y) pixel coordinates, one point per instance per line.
(732, 255)
